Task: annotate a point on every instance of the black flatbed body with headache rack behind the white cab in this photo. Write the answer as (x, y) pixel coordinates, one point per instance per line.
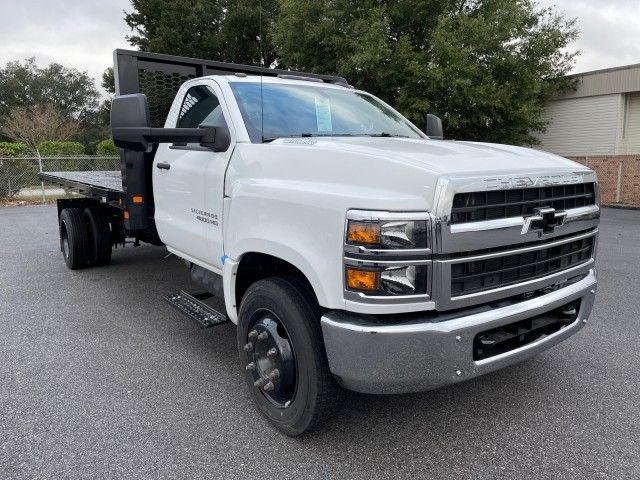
(159, 77)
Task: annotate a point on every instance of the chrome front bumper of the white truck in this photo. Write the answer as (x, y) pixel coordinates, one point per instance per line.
(370, 356)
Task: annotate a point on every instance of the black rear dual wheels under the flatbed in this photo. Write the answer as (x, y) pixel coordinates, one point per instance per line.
(85, 237)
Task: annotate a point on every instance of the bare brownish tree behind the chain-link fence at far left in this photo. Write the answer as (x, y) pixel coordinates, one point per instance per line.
(36, 124)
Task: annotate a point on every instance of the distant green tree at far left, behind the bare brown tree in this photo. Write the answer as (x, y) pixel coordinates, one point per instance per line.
(25, 84)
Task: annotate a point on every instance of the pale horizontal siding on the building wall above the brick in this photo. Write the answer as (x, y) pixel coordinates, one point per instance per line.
(583, 126)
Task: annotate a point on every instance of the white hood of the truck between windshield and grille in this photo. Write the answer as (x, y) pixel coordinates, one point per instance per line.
(378, 173)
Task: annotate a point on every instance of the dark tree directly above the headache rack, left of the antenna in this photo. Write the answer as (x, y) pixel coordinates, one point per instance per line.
(223, 30)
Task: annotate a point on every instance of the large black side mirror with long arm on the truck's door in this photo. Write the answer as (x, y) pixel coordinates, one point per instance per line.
(131, 128)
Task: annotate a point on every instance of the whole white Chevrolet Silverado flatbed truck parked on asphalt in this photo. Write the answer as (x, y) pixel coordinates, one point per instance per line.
(352, 250)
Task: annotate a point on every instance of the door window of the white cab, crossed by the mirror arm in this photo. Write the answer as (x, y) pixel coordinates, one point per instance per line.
(200, 106)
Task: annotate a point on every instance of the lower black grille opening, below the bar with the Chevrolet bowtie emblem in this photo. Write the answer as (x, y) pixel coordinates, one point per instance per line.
(480, 275)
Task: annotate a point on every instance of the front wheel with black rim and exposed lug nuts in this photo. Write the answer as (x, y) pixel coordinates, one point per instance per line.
(282, 353)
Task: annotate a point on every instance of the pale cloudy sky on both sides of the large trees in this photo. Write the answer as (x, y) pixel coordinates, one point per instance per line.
(84, 33)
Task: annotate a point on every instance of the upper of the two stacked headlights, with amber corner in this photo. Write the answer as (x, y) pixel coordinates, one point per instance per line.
(387, 234)
